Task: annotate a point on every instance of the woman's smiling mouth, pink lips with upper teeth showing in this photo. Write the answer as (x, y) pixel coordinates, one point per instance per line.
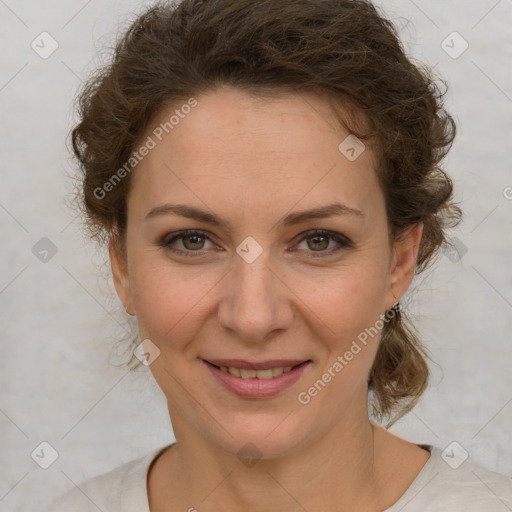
(256, 380)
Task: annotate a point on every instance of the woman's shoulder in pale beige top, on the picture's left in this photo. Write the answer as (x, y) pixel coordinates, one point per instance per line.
(121, 489)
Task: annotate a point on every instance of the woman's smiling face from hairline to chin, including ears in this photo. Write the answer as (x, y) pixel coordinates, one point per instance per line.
(254, 281)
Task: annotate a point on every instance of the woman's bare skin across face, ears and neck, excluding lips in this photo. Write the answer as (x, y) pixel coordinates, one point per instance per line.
(252, 161)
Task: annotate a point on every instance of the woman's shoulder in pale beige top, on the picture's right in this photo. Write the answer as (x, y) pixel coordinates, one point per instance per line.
(448, 483)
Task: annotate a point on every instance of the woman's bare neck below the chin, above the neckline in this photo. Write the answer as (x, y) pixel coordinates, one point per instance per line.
(335, 471)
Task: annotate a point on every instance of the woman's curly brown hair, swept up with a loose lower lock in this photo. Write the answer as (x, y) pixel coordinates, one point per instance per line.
(343, 50)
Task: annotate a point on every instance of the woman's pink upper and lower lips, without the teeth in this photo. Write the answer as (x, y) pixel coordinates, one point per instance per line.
(258, 388)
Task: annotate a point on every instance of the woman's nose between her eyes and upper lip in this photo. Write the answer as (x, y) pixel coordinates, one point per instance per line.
(257, 303)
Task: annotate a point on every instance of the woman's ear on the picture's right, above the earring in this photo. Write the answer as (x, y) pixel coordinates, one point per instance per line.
(404, 262)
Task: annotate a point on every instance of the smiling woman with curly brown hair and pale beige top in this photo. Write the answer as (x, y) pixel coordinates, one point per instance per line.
(266, 175)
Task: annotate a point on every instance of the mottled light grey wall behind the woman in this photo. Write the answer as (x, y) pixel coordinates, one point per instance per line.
(59, 319)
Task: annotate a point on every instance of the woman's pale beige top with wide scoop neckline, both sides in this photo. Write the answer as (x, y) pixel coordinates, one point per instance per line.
(439, 487)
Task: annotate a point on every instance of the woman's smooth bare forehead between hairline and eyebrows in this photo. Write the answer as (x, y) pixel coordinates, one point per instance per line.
(234, 147)
